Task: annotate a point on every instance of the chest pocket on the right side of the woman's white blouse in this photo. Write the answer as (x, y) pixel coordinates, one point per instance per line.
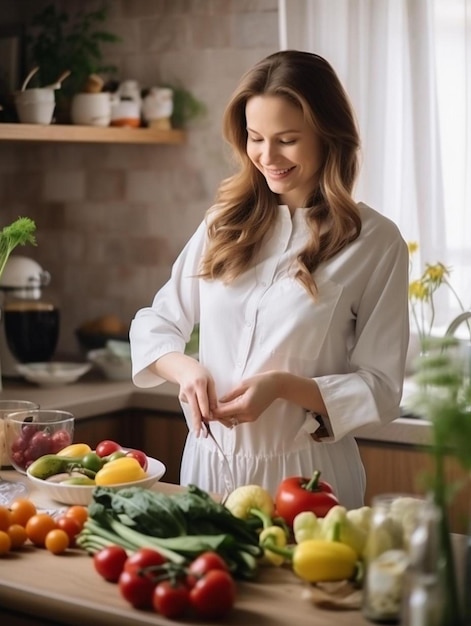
(291, 323)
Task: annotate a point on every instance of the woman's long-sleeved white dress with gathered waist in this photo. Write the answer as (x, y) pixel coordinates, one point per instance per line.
(353, 342)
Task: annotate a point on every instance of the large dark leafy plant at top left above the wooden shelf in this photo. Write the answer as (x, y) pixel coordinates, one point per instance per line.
(57, 41)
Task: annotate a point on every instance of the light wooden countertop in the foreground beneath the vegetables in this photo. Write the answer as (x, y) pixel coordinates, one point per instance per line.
(67, 590)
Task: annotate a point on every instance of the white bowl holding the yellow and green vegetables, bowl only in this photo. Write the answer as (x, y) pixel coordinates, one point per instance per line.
(82, 494)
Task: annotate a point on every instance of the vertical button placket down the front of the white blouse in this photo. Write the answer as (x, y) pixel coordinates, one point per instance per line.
(275, 248)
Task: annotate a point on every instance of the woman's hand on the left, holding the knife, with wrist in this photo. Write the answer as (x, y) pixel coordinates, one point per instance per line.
(197, 387)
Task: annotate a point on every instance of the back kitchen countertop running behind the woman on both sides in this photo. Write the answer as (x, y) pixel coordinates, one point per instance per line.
(93, 395)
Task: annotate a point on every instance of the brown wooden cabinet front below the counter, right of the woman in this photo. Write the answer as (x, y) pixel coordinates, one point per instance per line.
(398, 468)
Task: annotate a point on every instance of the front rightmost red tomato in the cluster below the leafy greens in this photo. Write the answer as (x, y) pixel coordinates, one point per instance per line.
(214, 594)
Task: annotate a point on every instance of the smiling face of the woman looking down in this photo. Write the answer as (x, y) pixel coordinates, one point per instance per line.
(285, 149)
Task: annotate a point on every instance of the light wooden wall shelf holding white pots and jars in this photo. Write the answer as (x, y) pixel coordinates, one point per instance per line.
(89, 134)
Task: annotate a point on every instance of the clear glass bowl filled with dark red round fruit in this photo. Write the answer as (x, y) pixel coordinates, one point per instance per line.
(34, 433)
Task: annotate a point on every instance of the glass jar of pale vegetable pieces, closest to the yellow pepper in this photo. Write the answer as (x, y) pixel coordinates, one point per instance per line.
(386, 556)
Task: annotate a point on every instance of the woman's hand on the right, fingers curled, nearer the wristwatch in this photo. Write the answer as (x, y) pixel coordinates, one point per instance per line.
(247, 401)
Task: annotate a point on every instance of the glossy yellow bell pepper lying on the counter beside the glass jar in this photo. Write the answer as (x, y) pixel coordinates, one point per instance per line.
(317, 560)
